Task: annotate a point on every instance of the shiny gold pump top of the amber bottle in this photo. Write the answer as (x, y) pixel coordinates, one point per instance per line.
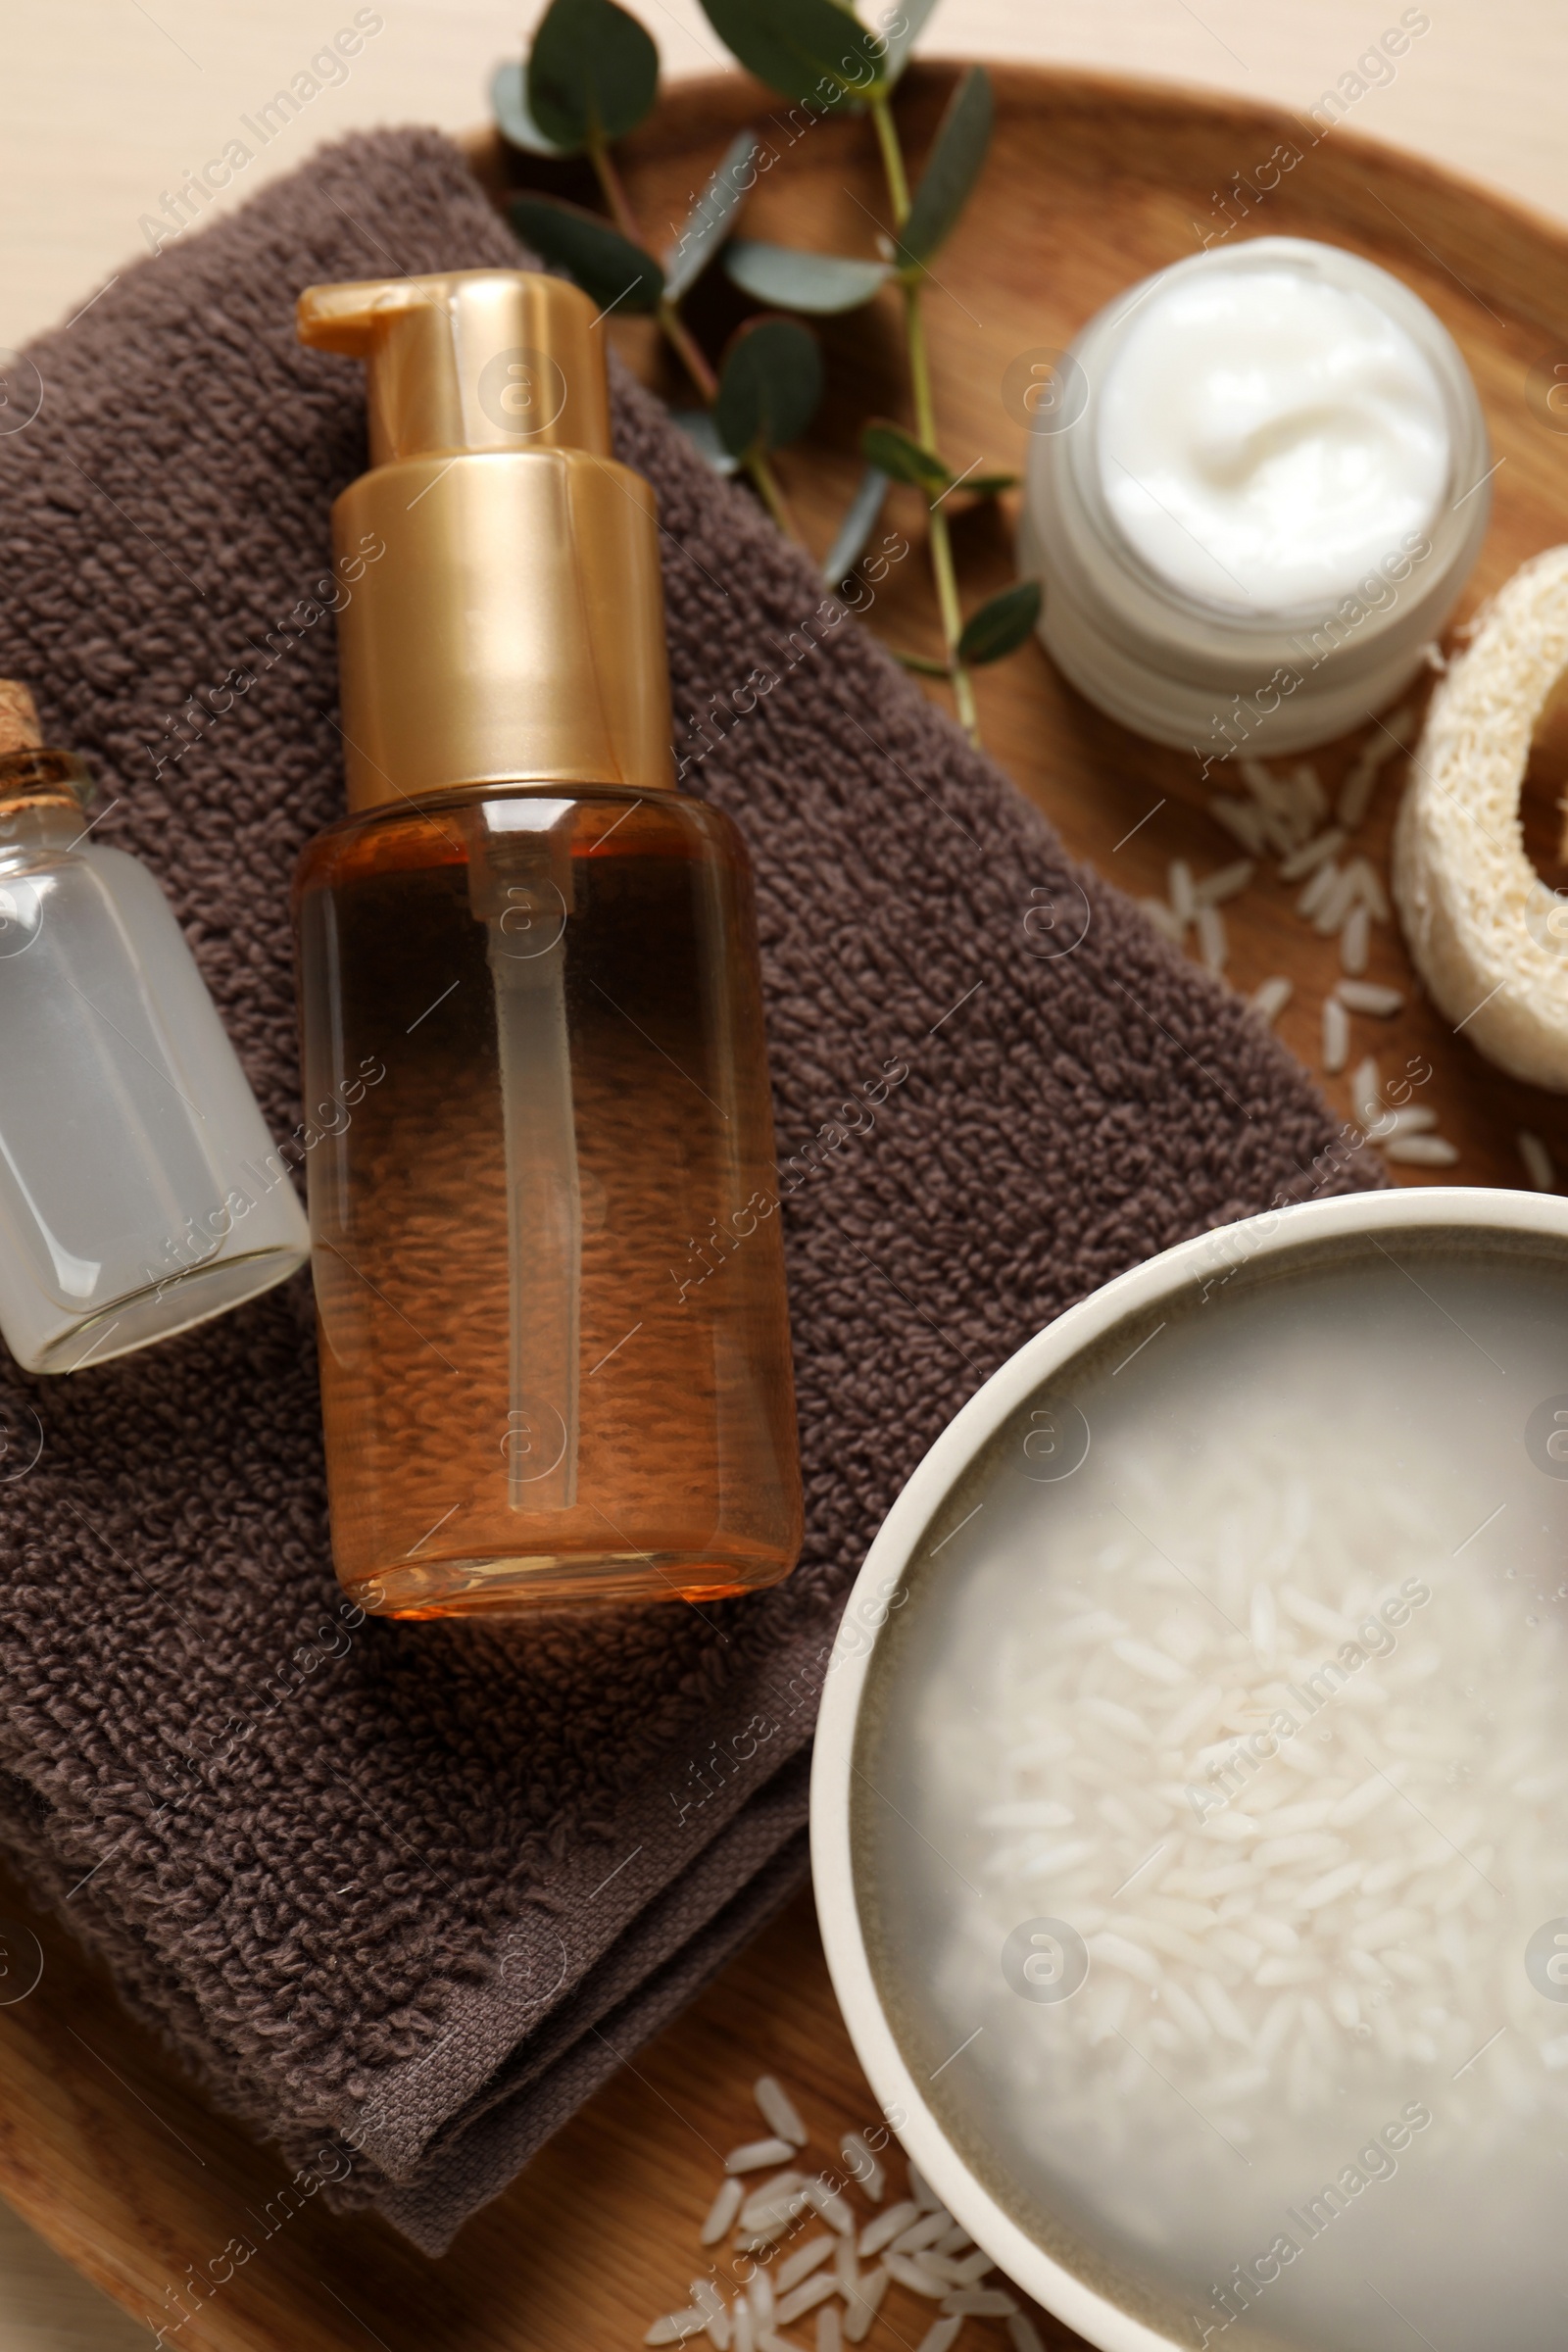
(502, 606)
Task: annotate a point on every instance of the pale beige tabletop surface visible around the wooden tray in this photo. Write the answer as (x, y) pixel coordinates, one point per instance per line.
(109, 102)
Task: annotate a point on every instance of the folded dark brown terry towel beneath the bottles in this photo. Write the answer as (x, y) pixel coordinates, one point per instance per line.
(406, 1895)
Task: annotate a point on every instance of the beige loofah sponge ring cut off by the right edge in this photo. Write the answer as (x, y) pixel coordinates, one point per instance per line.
(1485, 933)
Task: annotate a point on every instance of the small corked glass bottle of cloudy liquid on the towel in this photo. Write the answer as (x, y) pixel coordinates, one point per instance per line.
(140, 1191)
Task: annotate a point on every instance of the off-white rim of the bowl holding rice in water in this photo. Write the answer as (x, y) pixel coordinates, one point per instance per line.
(904, 2106)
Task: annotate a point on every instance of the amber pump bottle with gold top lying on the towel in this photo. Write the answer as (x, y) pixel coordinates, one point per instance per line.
(556, 1351)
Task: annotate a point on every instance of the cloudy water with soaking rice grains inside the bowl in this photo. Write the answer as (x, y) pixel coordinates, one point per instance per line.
(1214, 1810)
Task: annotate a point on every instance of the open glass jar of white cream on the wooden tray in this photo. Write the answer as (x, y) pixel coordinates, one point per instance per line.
(1257, 488)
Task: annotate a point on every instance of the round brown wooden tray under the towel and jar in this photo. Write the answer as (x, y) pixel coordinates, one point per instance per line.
(1092, 182)
